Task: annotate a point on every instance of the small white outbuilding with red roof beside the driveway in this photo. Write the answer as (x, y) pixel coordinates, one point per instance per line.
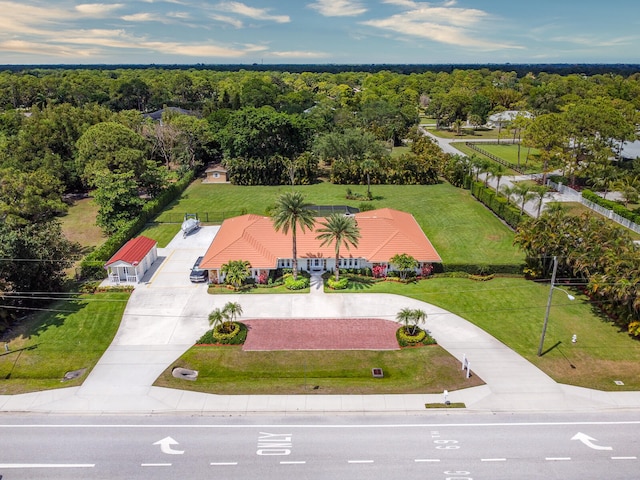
(130, 263)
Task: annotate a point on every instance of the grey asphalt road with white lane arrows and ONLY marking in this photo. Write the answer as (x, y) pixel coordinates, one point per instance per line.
(430, 446)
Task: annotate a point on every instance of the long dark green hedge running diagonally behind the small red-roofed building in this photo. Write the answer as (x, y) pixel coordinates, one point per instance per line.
(92, 267)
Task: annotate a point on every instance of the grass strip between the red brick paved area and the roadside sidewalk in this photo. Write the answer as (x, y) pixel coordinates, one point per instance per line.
(227, 370)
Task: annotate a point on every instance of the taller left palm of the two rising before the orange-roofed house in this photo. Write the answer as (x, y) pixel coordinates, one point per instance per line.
(291, 212)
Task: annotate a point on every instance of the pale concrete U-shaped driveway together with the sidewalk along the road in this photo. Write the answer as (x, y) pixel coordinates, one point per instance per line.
(167, 314)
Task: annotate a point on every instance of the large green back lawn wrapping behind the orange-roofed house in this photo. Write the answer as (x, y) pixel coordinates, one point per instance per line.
(461, 229)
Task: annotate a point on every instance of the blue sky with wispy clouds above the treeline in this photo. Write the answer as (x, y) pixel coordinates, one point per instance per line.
(319, 31)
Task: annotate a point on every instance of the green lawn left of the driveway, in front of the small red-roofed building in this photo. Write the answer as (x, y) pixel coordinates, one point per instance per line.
(72, 336)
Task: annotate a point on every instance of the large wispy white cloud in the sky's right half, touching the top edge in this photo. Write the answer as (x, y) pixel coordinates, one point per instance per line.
(445, 24)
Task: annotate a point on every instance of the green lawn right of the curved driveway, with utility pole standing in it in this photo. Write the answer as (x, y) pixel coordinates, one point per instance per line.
(513, 310)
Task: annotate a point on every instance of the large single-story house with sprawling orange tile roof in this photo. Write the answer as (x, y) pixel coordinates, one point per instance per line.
(384, 233)
